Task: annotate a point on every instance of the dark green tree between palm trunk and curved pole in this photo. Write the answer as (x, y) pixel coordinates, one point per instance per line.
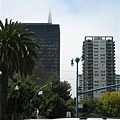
(26, 91)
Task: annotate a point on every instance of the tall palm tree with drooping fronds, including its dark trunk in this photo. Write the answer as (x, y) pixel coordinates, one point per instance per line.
(17, 50)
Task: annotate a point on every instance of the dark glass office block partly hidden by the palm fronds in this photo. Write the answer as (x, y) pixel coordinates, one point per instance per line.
(48, 37)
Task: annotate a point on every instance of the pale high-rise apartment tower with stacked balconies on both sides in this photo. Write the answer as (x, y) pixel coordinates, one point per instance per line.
(99, 64)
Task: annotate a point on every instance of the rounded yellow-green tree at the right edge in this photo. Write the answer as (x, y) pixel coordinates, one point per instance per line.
(109, 104)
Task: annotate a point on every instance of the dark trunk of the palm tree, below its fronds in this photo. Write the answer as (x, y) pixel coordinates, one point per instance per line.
(4, 86)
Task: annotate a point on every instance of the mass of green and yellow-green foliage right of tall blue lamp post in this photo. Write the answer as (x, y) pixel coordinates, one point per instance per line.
(106, 106)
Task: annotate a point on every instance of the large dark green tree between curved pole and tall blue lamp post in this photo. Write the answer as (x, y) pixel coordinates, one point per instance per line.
(58, 101)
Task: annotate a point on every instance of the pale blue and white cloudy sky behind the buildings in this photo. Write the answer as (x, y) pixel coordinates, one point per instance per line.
(77, 19)
